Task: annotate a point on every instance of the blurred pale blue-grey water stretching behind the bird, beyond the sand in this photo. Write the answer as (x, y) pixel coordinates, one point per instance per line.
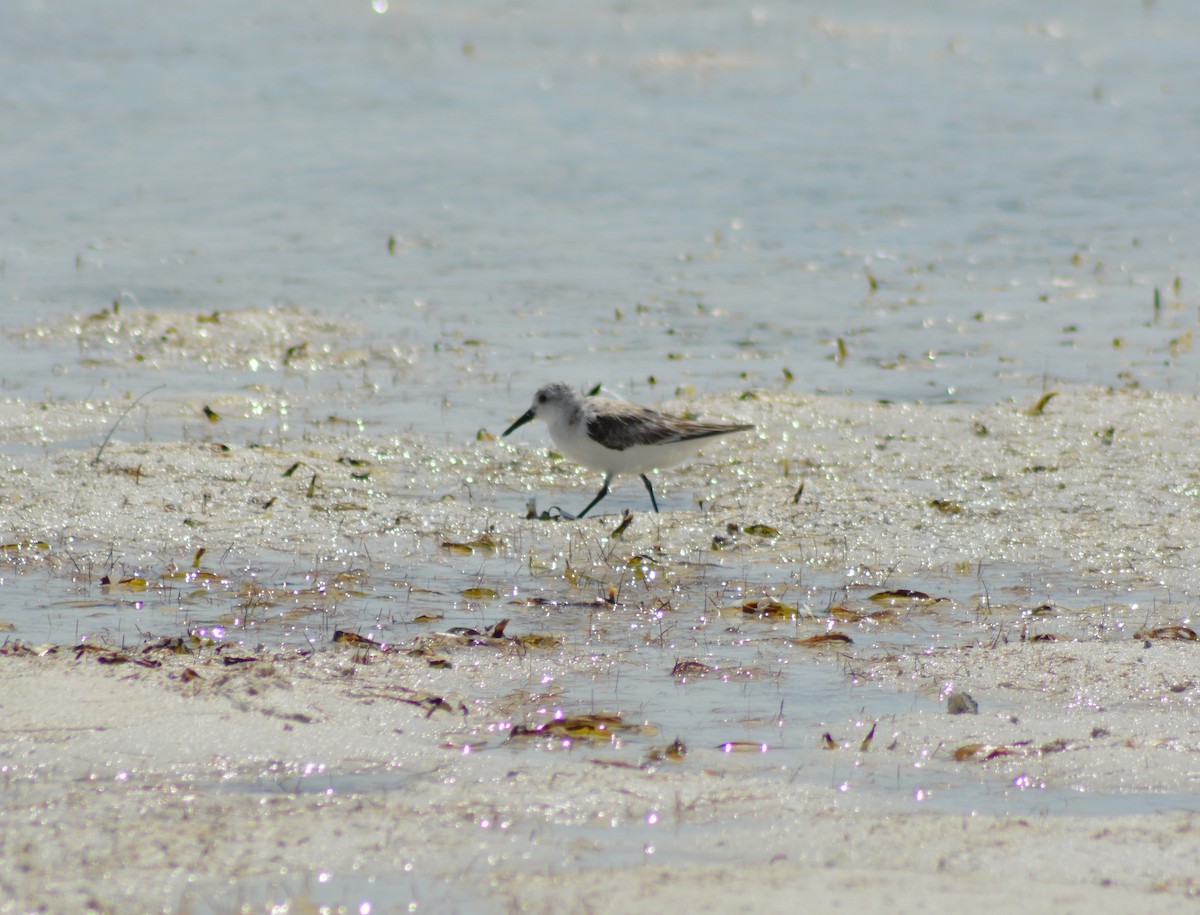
(976, 200)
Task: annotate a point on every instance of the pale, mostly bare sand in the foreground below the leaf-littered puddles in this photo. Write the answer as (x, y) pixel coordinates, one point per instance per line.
(122, 793)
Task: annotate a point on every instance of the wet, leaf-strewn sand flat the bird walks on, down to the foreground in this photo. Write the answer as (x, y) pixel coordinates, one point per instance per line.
(268, 767)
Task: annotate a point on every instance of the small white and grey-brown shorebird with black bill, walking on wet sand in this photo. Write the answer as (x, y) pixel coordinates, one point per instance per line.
(616, 436)
